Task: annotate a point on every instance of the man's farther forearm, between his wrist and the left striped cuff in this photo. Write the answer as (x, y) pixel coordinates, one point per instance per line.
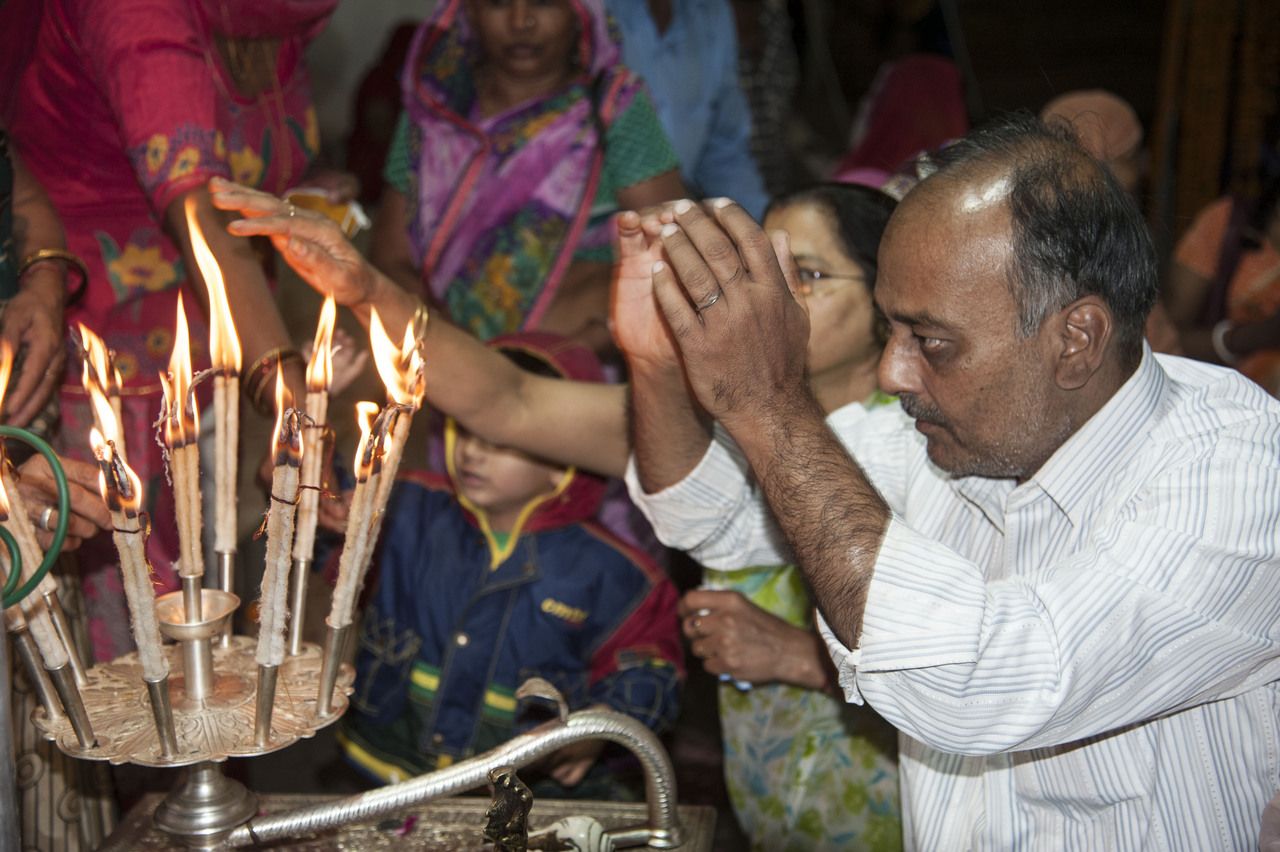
(670, 433)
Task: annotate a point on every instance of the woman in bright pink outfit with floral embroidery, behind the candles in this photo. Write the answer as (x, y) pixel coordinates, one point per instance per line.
(126, 111)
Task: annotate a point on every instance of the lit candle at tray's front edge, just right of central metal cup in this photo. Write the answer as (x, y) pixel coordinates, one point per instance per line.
(287, 445)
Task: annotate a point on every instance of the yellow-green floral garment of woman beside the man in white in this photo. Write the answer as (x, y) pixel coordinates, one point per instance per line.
(804, 769)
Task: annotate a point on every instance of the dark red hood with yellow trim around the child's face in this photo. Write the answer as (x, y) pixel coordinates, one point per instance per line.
(578, 496)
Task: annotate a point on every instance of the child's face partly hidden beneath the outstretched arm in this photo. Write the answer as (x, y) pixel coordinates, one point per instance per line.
(499, 480)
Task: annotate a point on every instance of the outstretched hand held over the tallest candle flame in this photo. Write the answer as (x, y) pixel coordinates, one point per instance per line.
(313, 245)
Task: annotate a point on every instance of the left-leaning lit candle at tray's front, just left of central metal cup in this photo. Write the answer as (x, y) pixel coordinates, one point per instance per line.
(122, 492)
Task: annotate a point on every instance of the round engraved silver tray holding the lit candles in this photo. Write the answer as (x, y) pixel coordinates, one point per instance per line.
(213, 730)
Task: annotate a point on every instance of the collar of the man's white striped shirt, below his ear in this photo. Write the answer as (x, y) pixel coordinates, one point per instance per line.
(1098, 450)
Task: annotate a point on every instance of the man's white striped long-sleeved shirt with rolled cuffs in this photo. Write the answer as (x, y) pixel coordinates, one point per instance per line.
(1090, 661)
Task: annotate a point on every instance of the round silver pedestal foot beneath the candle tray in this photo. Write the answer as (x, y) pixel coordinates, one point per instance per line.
(205, 807)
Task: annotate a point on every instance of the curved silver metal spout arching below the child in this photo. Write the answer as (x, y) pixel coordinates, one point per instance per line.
(664, 831)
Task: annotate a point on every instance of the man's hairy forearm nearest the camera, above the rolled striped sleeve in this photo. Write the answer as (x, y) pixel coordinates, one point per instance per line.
(831, 515)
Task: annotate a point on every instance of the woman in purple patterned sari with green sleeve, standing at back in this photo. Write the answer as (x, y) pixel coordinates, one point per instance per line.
(523, 135)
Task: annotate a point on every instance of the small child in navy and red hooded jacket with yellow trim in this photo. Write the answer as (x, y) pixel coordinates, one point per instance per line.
(495, 575)
